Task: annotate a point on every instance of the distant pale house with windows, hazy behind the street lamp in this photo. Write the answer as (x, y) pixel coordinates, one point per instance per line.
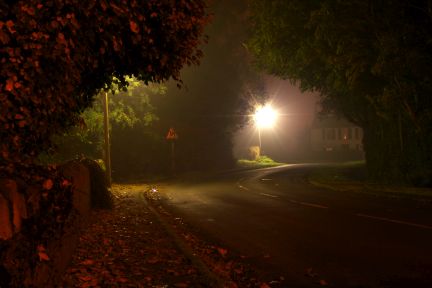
(337, 137)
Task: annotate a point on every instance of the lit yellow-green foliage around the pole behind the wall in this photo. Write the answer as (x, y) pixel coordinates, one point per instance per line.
(127, 110)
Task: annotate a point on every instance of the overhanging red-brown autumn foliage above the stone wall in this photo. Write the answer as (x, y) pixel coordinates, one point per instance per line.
(55, 55)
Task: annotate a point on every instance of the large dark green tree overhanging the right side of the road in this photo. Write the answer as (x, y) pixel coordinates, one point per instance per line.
(369, 60)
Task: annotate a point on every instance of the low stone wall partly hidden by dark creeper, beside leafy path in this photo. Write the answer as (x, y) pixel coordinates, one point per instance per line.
(18, 204)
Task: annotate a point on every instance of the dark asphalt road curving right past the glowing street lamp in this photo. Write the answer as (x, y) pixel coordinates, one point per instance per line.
(300, 235)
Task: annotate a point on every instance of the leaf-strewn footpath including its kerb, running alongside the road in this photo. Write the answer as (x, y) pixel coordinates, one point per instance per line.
(138, 244)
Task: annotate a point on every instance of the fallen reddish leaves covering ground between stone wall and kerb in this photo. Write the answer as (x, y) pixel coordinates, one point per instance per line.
(124, 247)
